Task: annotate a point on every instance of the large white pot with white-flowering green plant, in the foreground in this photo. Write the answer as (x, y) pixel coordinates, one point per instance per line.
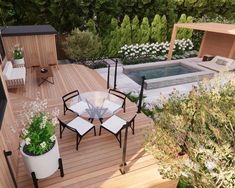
(39, 146)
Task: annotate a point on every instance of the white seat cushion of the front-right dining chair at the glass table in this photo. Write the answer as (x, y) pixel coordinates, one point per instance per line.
(114, 124)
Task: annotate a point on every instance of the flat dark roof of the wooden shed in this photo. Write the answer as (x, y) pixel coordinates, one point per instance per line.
(27, 30)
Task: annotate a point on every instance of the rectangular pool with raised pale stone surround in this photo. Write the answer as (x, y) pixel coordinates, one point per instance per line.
(168, 73)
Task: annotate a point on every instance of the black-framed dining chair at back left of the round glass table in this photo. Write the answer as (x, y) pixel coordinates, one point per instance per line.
(78, 107)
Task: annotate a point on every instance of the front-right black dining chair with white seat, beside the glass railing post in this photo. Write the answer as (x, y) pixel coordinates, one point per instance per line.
(115, 125)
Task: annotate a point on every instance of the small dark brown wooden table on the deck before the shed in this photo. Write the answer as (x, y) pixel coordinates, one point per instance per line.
(44, 76)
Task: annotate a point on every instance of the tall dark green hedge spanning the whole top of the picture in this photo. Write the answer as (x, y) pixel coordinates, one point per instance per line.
(68, 14)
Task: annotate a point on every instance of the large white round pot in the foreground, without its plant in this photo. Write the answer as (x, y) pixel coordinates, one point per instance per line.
(43, 165)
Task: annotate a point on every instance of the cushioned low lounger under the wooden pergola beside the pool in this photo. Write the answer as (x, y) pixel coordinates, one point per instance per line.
(219, 64)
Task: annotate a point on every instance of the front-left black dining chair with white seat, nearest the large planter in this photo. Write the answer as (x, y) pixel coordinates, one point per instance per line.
(78, 125)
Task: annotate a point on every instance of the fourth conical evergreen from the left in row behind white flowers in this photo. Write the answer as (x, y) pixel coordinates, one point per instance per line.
(144, 33)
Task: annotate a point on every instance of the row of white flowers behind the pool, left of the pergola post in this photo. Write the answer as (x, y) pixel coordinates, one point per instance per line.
(144, 50)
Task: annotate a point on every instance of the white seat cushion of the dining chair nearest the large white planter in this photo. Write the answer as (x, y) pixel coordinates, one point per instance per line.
(81, 125)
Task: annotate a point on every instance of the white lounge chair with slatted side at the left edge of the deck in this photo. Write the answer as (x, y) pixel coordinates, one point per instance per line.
(14, 77)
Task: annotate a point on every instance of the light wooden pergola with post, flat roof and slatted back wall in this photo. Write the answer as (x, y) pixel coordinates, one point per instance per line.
(218, 39)
